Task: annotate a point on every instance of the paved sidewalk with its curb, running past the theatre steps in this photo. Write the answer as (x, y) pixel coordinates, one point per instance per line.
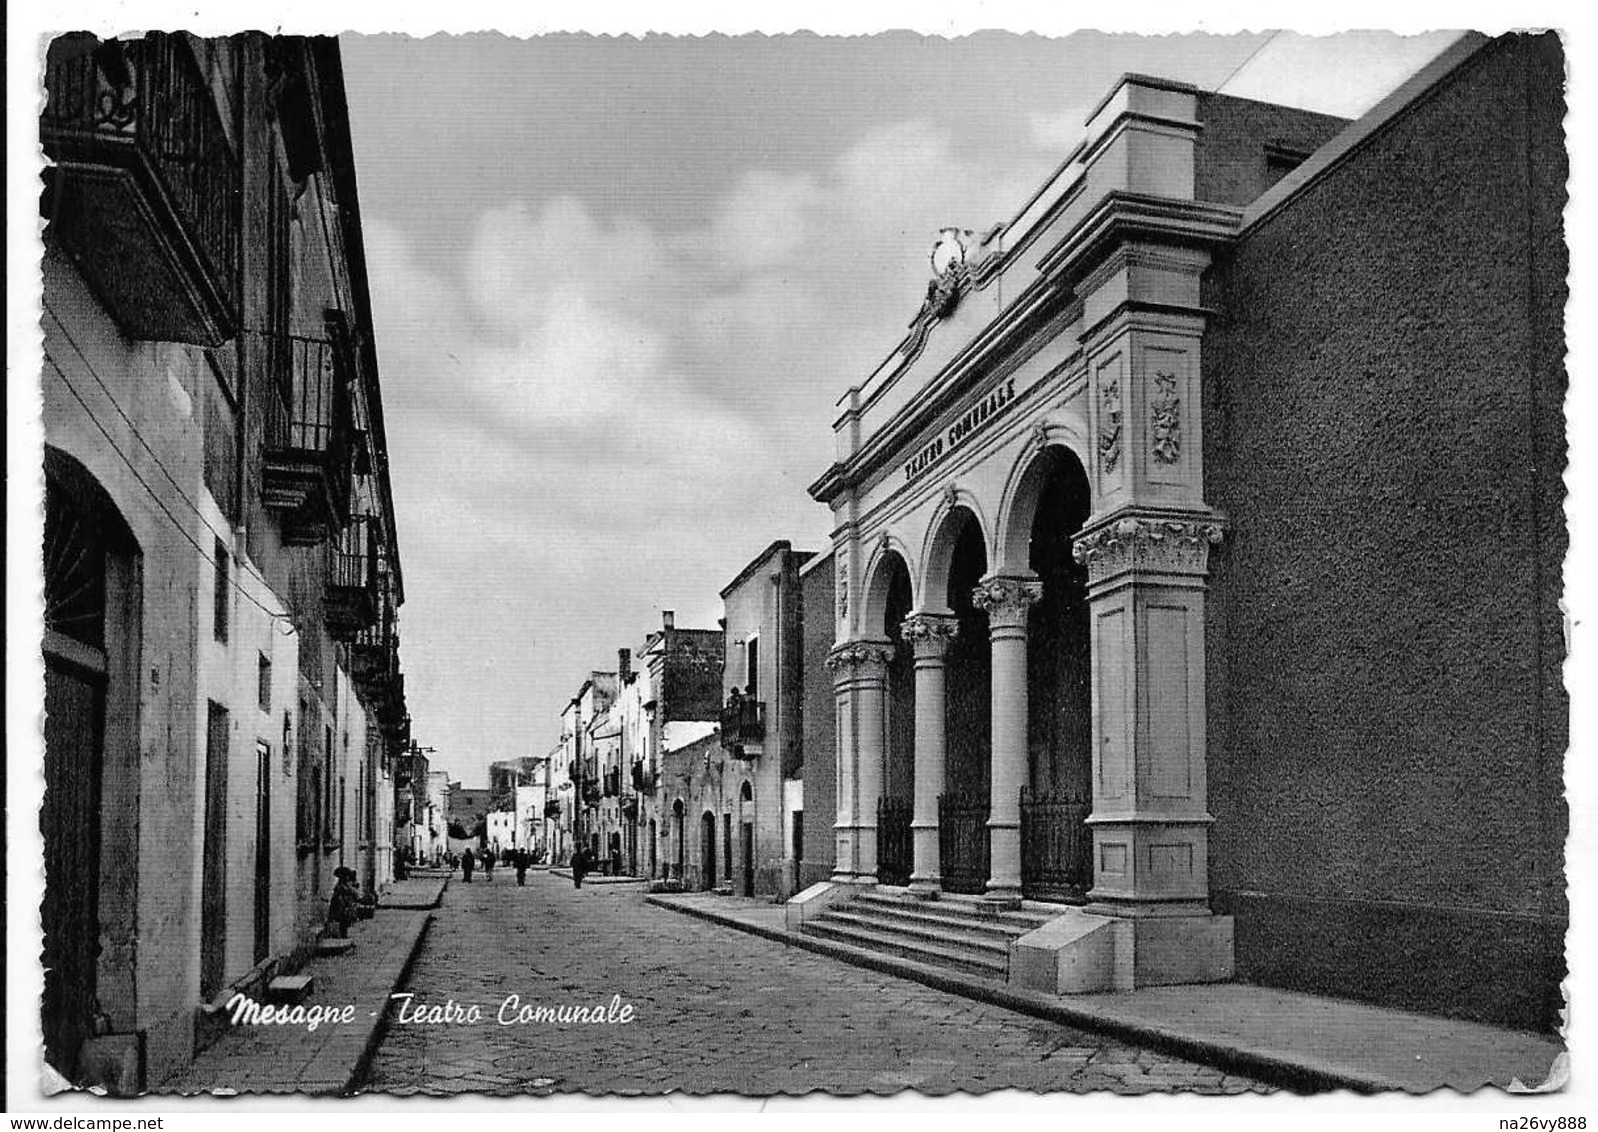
(1302, 1042)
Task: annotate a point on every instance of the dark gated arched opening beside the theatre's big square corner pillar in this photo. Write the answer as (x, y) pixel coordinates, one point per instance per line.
(1057, 850)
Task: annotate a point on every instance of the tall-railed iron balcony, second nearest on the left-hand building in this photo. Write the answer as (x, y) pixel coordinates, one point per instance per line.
(306, 453)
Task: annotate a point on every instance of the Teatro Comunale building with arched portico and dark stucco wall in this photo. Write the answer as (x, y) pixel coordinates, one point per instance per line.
(1095, 644)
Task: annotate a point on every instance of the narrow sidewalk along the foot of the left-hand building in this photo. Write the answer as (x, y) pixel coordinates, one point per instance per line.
(332, 1059)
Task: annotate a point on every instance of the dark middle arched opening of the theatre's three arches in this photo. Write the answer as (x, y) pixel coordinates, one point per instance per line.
(963, 808)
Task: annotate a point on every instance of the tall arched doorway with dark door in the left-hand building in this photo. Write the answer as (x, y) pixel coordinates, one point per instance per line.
(92, 663)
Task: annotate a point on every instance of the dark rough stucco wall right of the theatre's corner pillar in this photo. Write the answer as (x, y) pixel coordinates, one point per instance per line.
(1383, 405)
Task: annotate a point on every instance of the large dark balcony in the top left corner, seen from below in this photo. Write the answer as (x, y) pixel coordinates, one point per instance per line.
(145, 193)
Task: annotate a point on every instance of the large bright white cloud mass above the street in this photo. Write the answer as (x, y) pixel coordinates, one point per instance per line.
(592, 420)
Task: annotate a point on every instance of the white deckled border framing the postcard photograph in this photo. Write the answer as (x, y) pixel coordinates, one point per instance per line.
(25, 485)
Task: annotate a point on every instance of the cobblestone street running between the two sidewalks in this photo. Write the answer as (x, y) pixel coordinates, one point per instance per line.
(717, 1011)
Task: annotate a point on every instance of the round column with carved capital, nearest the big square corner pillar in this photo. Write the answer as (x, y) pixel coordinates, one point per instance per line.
(1008, 602)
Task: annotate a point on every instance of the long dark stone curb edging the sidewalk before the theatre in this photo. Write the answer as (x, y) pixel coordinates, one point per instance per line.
(1294, 1074)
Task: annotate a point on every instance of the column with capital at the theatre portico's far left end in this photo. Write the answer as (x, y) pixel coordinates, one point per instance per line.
(861, 688)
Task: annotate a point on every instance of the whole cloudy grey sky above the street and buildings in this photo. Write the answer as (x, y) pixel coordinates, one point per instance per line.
(621, 284)
